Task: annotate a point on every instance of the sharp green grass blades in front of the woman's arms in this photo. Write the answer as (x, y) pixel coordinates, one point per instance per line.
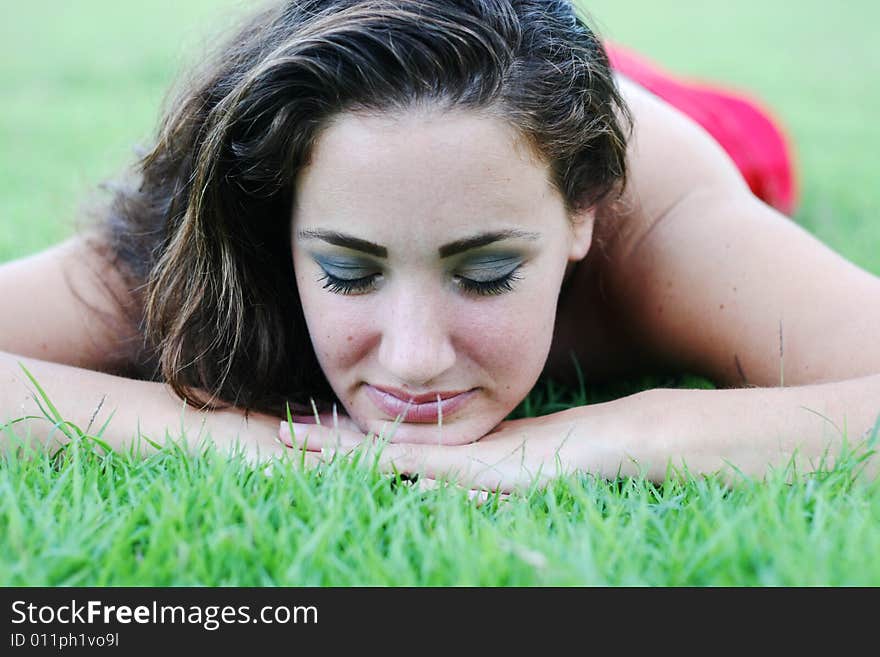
(91, 518)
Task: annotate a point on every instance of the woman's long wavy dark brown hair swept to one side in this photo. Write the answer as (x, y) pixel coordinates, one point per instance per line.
(202, 235)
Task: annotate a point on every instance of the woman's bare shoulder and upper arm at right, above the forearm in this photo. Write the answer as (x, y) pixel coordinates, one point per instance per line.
(702, 276)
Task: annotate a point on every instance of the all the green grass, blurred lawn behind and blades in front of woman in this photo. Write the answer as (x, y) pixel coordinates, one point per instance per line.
(82, 83)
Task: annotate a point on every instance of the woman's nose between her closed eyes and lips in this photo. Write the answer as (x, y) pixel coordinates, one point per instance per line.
(416, 347)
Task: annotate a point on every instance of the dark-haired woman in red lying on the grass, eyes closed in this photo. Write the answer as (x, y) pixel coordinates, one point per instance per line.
(381, 204)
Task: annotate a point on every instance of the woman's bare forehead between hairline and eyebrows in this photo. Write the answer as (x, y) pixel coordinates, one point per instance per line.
(450, 167)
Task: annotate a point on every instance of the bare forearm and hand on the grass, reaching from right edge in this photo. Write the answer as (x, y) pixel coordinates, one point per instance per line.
(730, 432)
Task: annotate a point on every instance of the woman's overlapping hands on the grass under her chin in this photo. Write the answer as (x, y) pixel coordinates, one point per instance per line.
(514, 456)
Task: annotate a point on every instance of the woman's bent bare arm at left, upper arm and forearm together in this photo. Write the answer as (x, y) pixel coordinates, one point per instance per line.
(61, 318)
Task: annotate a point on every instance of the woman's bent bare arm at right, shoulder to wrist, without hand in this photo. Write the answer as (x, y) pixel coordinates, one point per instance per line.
(713, 281)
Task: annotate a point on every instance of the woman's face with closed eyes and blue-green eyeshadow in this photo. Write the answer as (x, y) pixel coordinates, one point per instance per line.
(429, 252)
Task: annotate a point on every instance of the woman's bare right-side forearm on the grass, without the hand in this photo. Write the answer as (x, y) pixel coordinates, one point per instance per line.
(751, 429)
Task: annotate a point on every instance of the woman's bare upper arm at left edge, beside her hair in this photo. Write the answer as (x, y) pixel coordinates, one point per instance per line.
(68, 304)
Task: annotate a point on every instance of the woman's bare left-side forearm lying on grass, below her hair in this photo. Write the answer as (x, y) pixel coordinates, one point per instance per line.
(140, 409)
